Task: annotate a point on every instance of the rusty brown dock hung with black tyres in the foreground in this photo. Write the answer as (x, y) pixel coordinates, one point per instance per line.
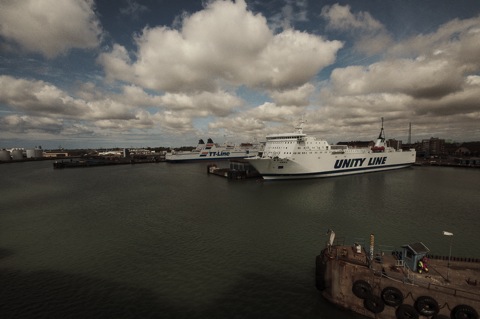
(387, 287)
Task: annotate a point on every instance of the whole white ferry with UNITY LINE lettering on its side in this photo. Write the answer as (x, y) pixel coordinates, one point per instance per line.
(296, 155)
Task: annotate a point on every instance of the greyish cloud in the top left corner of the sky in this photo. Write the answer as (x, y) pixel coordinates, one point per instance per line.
(50, 27)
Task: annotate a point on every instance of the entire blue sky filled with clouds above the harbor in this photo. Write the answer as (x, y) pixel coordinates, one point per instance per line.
(165, 73)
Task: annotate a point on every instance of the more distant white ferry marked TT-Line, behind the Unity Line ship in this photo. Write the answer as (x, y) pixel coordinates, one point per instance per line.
(213, 151)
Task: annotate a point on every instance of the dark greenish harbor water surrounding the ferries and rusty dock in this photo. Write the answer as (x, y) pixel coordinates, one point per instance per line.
(170, 241)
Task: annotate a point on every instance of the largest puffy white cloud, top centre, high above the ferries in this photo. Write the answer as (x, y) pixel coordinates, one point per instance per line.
(224, 44)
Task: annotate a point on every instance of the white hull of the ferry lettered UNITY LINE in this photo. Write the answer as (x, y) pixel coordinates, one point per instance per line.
(329, 165)
